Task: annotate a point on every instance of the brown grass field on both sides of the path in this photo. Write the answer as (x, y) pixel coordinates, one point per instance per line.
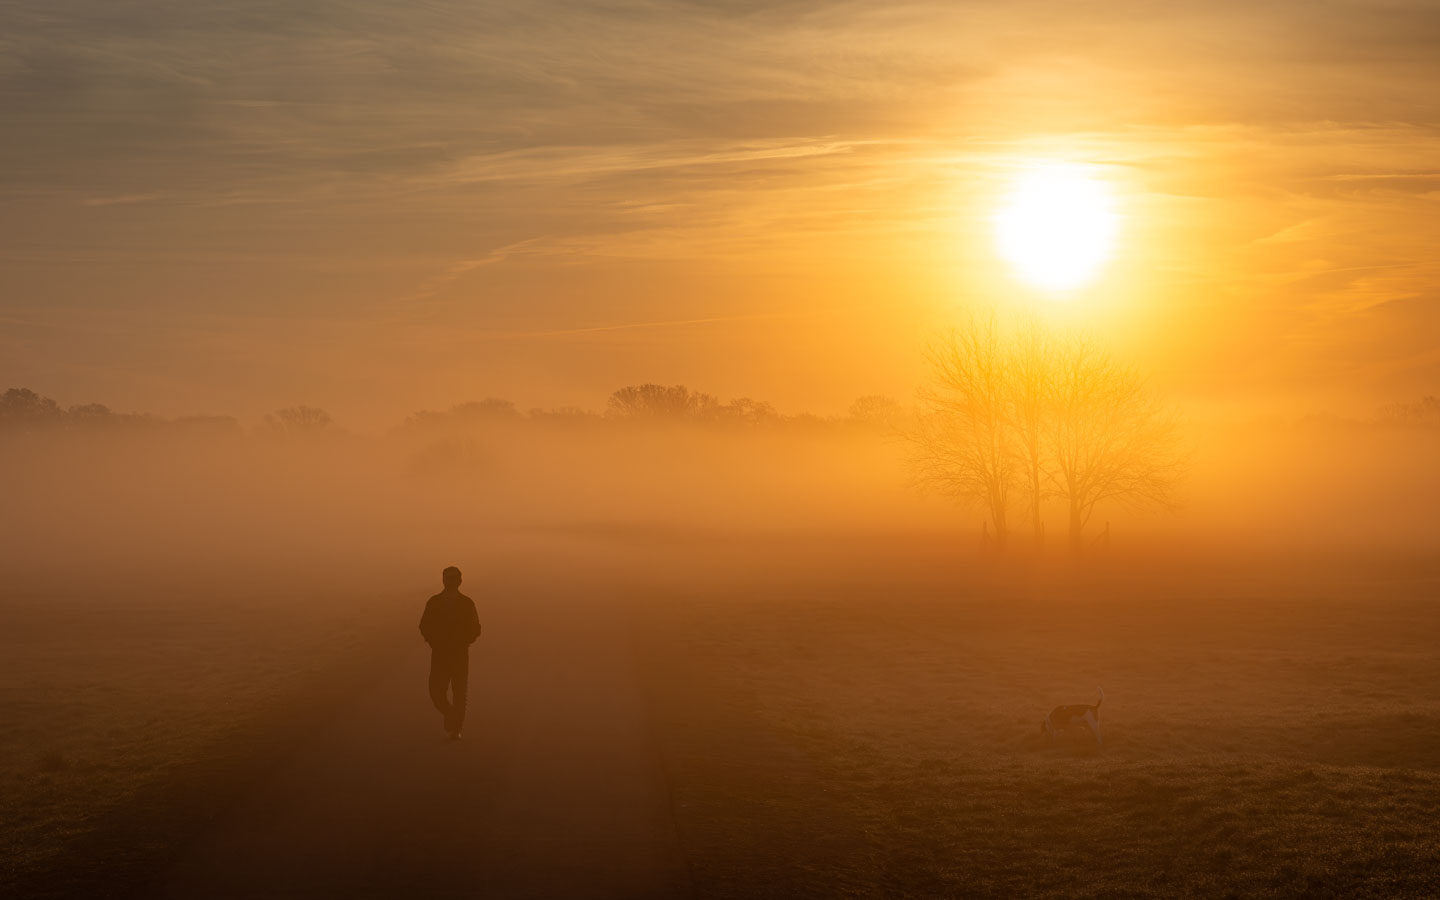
(836, 719)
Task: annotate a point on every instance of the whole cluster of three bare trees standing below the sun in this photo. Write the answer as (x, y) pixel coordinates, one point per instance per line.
(1027, 411)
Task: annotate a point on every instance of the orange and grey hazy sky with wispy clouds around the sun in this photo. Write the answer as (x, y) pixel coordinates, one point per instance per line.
(377, 208)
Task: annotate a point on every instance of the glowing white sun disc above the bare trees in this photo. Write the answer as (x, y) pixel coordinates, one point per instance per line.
(1058, 227)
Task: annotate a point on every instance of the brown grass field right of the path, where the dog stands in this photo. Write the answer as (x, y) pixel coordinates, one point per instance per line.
(878, 737)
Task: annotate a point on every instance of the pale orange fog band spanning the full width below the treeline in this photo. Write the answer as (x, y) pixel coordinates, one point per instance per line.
(168, 499)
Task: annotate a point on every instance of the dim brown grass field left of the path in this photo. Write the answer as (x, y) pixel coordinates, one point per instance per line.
(133, 708)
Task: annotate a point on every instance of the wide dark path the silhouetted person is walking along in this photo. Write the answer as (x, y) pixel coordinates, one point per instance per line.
(557, 790)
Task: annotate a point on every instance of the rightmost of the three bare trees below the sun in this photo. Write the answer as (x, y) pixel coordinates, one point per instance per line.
(1110, 438)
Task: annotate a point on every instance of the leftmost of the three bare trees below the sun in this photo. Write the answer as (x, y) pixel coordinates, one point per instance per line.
(963, 444)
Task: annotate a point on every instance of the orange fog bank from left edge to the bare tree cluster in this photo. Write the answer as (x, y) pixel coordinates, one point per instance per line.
(158, 499)
